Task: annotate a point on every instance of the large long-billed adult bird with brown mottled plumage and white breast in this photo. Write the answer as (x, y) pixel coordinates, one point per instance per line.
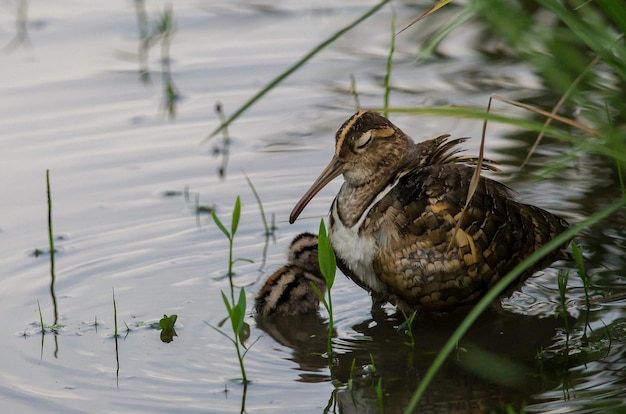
(394, 217)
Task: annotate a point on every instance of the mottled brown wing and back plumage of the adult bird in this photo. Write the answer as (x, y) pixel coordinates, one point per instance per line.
(415, 223)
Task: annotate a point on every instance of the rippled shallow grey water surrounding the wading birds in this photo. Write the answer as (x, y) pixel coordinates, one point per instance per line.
(73, 102)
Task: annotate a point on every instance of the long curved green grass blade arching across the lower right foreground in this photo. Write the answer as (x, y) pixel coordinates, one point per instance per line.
(495, 291)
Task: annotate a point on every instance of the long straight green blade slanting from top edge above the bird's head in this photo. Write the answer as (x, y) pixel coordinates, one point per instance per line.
(293, 68)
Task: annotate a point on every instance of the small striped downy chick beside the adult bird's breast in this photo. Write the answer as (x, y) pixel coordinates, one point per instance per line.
(288, 291)
